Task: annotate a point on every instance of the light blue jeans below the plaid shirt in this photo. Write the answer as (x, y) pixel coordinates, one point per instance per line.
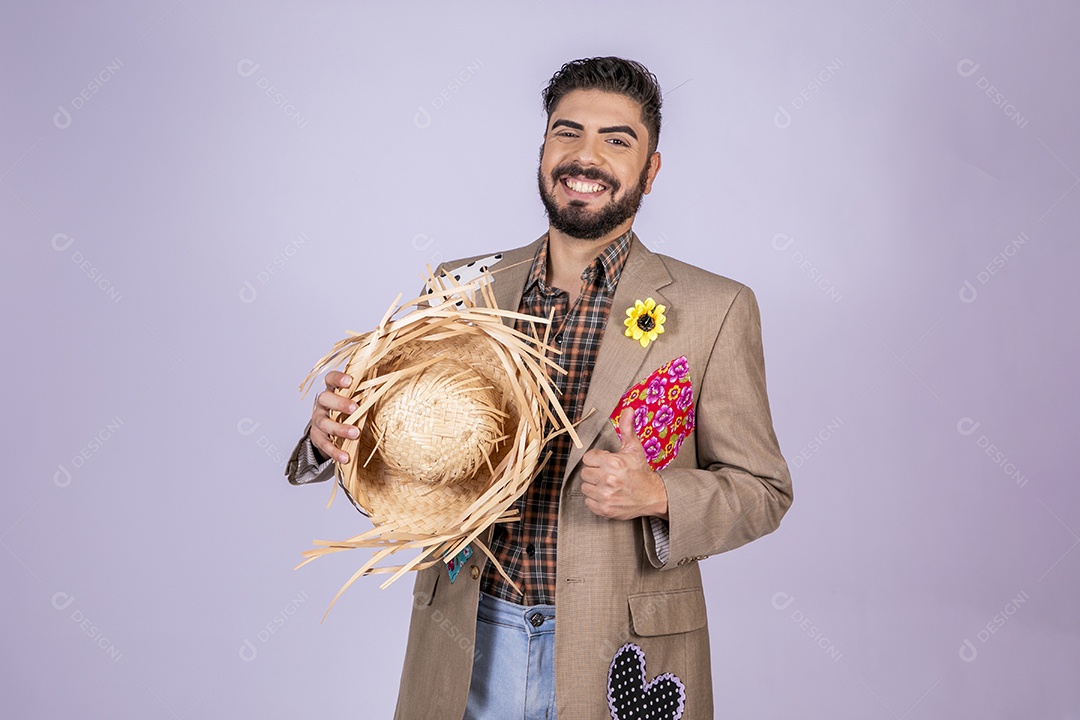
(514, 662)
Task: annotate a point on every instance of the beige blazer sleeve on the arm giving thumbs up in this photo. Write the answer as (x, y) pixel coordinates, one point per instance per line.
(742, 487)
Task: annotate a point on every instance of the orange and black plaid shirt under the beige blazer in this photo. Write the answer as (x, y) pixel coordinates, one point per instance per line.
(526, 549)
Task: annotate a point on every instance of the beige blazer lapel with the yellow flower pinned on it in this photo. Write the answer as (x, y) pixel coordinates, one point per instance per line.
(620, 359)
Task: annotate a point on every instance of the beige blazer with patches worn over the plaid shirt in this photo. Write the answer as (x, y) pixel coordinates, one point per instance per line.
(728, 486)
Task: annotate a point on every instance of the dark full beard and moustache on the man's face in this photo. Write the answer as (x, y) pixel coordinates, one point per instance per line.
(576, 220)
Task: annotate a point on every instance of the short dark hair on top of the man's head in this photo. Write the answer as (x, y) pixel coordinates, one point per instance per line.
(612, 75)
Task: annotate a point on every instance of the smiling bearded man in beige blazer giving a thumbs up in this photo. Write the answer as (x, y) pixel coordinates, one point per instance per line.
(606, 547)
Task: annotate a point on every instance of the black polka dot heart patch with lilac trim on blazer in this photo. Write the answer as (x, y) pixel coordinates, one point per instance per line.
(631, 698)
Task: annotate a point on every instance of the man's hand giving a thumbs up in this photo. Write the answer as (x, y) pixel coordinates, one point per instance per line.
(622, 486)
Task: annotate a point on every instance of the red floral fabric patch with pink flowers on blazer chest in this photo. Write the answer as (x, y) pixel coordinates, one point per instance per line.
(664, 412)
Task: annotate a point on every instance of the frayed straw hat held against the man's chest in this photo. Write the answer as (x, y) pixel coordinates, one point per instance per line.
(452, 410)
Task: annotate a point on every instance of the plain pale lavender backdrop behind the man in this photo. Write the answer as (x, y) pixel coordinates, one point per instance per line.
(199, 200)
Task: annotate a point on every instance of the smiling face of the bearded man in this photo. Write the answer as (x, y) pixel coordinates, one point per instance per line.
(596, 165)
